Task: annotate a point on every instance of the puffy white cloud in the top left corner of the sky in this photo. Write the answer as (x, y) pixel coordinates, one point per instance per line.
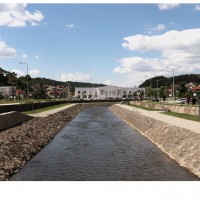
(16, 15)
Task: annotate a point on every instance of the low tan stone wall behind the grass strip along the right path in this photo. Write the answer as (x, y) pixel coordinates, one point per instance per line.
(191, 110)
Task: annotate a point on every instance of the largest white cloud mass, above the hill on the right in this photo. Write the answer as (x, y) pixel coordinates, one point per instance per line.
(173, 48)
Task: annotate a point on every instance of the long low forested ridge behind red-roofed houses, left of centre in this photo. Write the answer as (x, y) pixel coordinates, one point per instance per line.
(71, 84)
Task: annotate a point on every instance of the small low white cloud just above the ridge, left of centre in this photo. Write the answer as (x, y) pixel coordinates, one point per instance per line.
(75, 77)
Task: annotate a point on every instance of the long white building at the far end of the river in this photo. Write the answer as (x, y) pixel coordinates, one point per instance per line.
(106, 92)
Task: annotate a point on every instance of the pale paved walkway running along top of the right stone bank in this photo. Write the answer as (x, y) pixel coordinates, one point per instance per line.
(175, 121)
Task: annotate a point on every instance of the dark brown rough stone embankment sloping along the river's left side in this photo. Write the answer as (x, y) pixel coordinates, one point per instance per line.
(19, 144)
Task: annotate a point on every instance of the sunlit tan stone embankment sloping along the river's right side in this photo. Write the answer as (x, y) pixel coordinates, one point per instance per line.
(180, 144)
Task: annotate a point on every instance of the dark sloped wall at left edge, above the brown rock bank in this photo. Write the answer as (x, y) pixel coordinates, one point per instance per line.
(11, 119)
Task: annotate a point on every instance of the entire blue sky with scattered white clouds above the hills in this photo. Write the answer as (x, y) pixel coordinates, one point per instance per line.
(116, 44)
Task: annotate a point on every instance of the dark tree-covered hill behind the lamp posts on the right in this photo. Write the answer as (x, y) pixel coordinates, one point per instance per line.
(164, 81)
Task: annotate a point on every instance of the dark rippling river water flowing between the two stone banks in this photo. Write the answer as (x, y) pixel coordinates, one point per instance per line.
(98, 146)
